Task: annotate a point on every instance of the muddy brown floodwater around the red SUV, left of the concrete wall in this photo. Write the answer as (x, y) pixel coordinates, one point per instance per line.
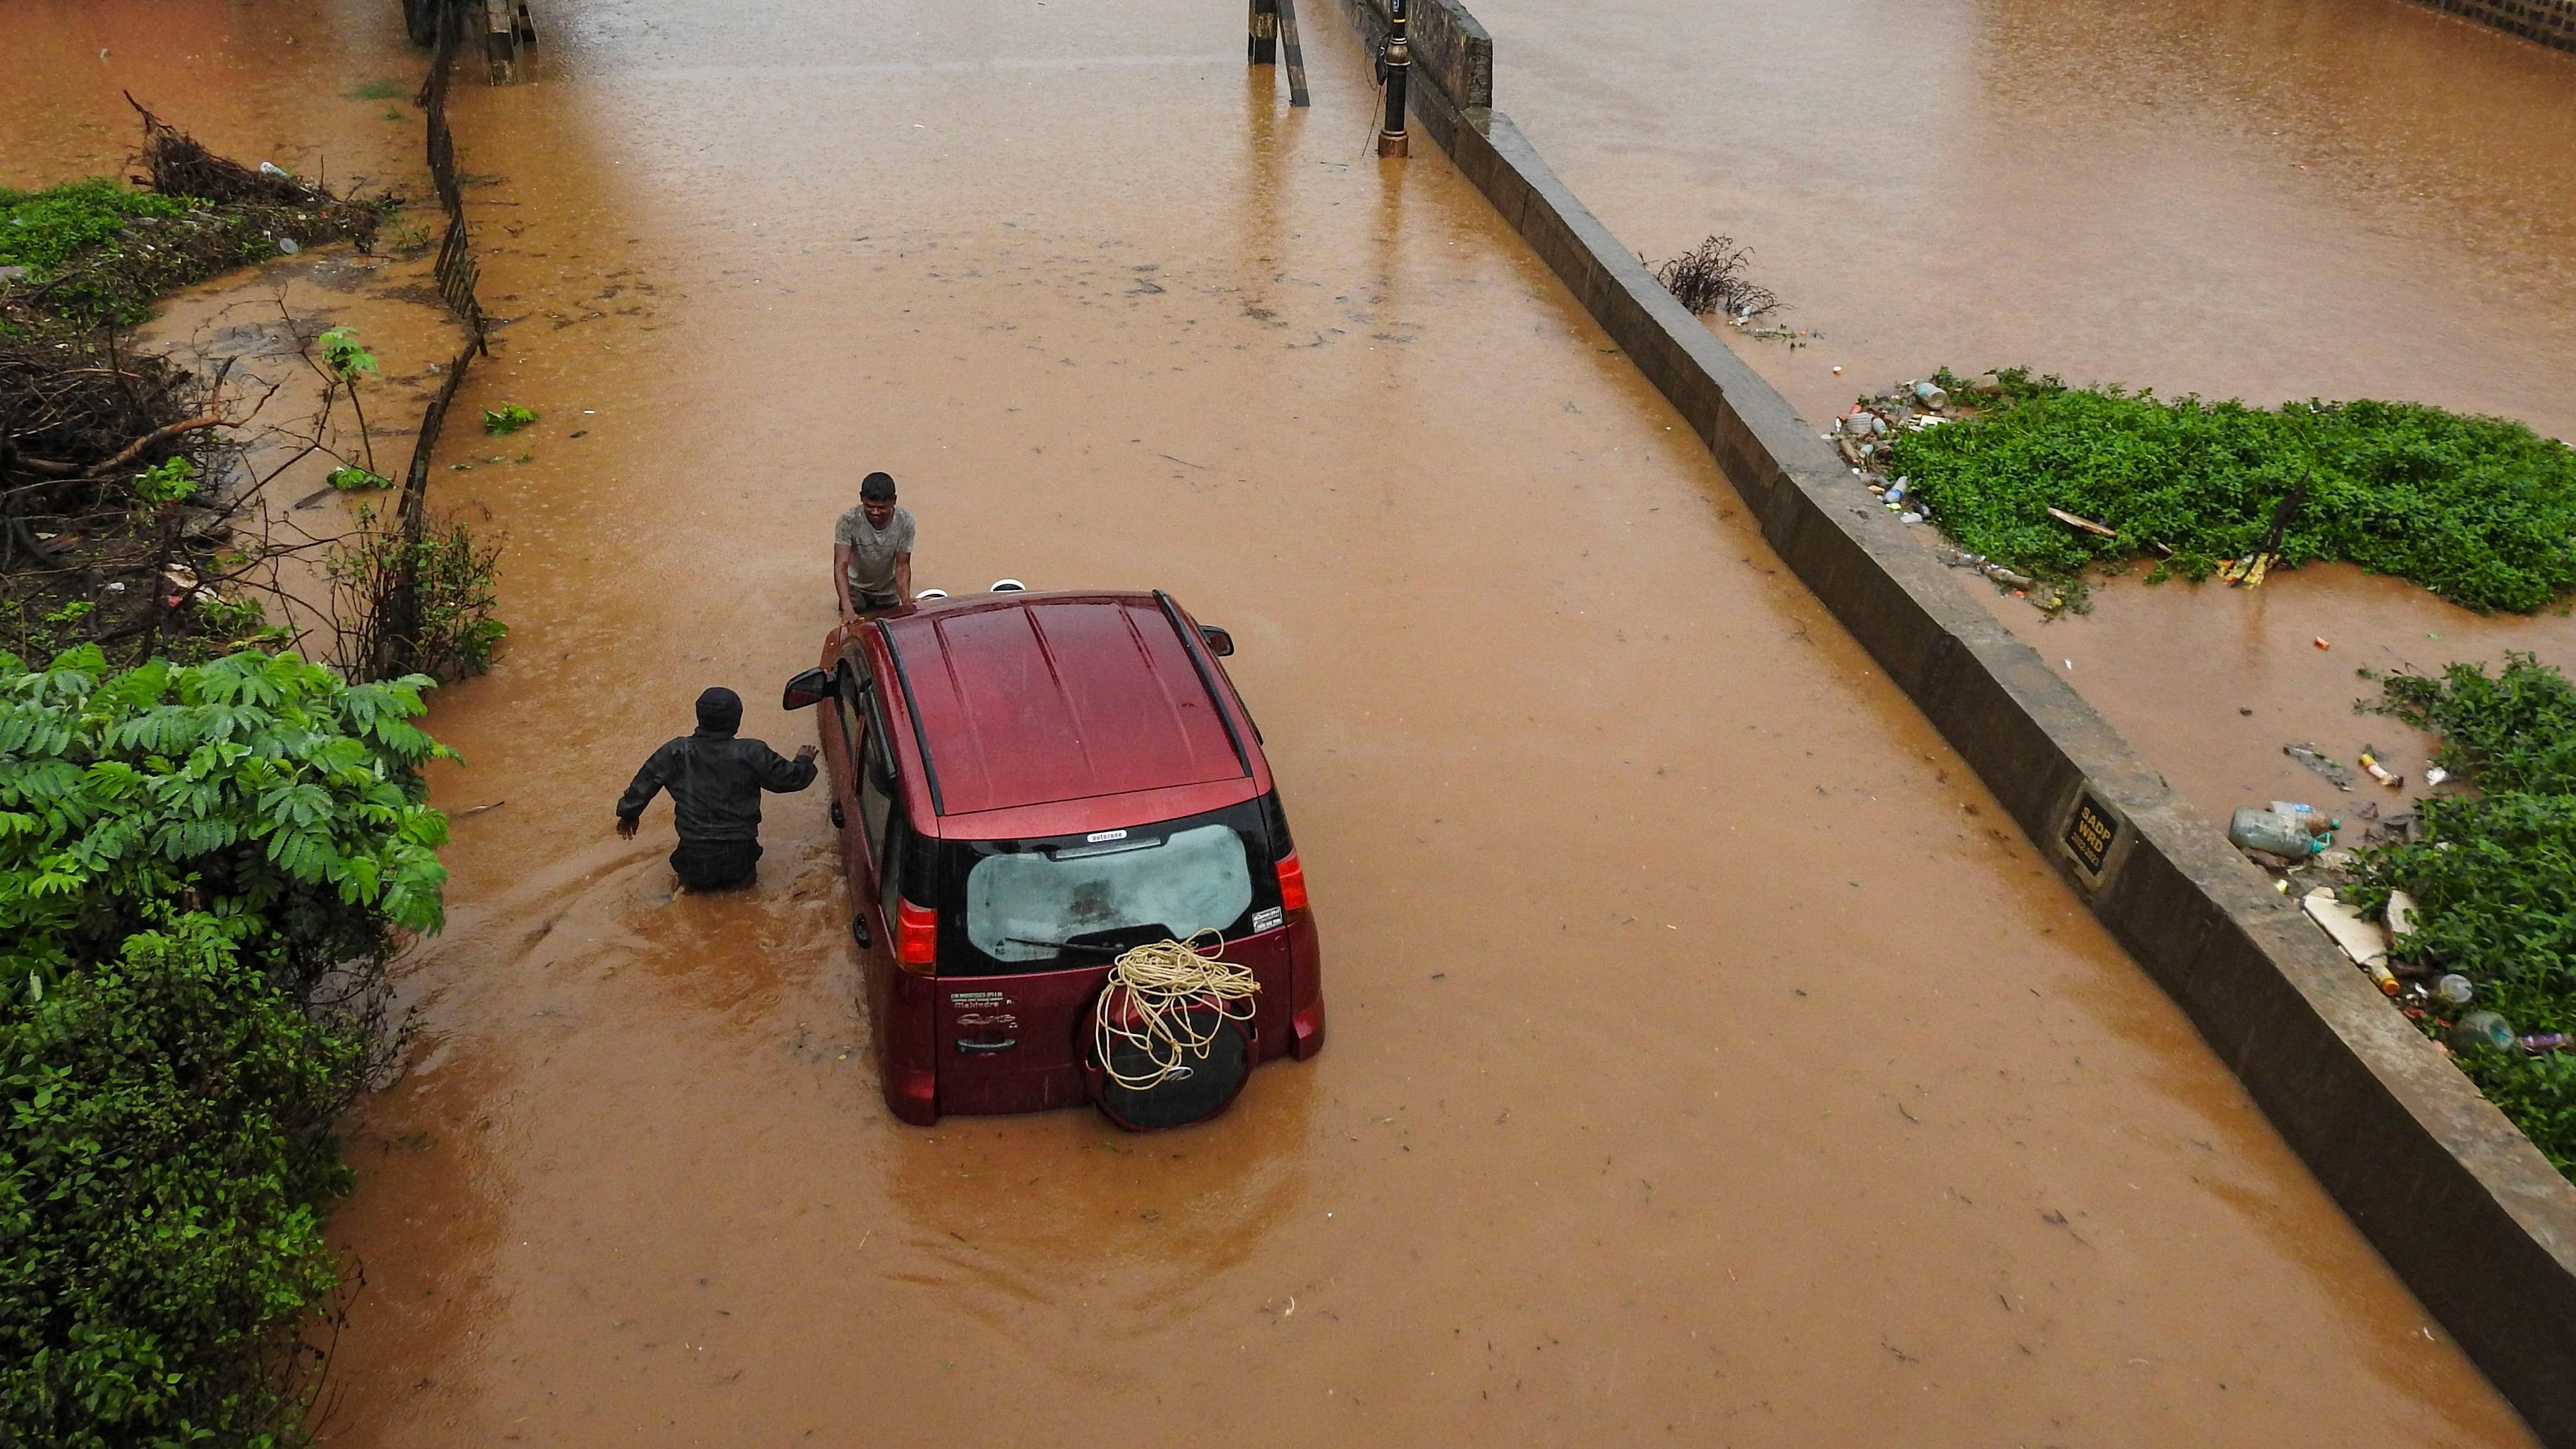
(1712, 1061)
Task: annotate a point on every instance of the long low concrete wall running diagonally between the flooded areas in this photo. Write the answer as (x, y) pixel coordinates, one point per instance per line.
(2461, 1205)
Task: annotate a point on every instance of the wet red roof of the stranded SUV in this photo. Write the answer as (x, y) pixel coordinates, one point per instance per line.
(1029, 700)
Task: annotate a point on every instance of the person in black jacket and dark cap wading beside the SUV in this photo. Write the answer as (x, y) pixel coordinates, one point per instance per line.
(715, 793)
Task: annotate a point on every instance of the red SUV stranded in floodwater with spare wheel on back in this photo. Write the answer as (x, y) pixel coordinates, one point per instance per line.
(1029, 785)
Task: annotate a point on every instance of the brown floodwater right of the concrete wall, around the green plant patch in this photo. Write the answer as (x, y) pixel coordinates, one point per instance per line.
(2271, 202)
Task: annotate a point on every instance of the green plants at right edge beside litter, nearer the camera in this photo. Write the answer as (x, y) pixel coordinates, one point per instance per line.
(2495, 873)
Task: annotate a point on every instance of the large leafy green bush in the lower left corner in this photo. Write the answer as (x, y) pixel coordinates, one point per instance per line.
(202, 878)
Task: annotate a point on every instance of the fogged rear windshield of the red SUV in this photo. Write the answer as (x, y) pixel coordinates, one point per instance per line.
(1073, 901)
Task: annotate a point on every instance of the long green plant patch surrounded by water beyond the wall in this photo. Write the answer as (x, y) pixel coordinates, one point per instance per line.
(2474, 509)
